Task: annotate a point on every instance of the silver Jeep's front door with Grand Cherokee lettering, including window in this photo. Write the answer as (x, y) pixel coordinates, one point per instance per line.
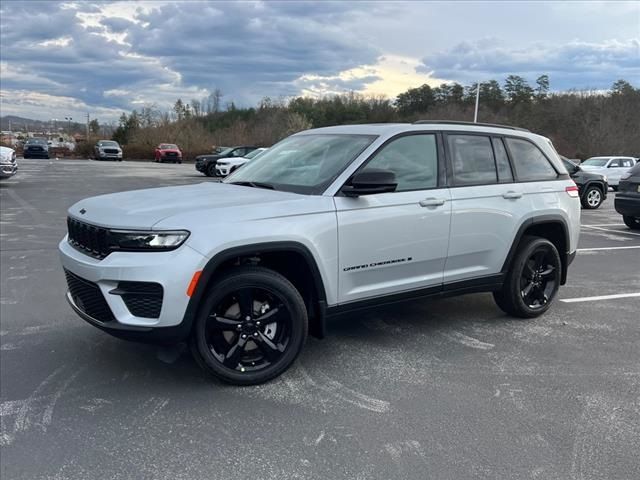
(395, 242)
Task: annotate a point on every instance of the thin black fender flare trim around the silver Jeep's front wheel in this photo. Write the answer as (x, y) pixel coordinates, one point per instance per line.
(212, 265)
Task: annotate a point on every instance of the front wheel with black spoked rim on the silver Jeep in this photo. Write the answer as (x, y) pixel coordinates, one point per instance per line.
(240, 348)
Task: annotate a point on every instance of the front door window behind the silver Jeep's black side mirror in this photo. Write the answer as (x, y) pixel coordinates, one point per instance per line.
(413, 159)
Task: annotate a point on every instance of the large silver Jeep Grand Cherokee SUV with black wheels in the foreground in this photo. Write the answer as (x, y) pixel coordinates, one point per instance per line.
(327, 221)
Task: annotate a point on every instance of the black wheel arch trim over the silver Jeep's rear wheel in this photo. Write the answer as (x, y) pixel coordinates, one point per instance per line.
(552, 227)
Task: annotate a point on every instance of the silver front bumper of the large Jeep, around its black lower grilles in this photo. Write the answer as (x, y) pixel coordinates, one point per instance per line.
(173, 270)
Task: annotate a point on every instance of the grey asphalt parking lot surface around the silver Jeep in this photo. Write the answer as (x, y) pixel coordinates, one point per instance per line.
(440, 389)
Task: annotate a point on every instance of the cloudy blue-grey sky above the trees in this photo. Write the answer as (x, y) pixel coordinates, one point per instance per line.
(68, 58)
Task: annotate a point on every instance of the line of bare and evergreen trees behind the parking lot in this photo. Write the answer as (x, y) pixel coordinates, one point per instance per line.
(580, 123)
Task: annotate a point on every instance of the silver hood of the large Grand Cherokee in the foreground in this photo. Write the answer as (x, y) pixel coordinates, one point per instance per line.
(188, 204)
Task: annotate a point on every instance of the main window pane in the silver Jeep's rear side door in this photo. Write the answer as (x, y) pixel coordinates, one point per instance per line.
(472, 160)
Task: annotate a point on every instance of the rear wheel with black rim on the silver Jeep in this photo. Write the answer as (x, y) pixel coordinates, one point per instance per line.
(536, 269)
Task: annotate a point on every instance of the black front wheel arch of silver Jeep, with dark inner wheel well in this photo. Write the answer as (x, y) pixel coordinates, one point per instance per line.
(299, 267)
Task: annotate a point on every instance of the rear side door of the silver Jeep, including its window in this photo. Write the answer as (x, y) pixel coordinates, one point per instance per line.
(487, 206)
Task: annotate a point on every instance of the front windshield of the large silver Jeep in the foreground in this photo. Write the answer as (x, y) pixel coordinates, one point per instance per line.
(303, 163)
